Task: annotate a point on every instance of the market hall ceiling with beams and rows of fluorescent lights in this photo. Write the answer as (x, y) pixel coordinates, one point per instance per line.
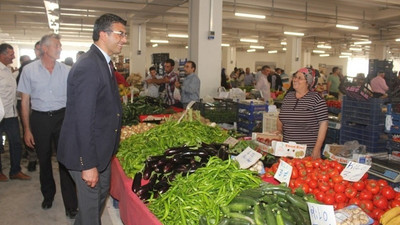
(378, 21)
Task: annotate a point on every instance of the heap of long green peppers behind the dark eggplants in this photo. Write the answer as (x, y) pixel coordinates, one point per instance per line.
(134, 150)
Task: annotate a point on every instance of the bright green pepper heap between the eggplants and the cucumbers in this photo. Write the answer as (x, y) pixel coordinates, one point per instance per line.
(199, 196)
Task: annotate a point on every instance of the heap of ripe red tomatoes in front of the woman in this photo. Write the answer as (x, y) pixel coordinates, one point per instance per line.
(322, 178)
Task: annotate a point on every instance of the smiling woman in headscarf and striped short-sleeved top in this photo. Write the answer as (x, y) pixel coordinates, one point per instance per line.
(304, 115)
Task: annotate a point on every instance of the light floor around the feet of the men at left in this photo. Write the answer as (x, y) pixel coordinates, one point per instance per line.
(20, 201)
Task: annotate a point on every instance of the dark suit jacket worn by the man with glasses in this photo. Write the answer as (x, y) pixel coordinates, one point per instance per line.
(91, 128)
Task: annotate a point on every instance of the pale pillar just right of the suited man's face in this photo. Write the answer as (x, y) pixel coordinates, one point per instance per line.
(137, 42)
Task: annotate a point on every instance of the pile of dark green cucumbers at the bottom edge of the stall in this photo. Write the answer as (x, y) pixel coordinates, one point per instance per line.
(268, 204)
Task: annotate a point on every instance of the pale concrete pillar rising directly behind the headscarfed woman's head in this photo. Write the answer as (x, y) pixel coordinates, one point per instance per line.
(293, 54)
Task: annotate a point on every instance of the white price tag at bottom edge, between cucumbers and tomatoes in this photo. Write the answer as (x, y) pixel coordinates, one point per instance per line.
(321, 214)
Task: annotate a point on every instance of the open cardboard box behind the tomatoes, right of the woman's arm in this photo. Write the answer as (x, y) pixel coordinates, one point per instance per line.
(333, 151)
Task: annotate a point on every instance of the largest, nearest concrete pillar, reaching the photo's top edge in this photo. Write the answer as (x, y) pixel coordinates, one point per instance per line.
(205, 34)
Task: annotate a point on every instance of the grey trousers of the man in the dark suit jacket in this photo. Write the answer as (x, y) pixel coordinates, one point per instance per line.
(91, 201)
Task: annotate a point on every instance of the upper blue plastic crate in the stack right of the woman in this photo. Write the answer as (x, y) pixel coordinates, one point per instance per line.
(363, 112)
